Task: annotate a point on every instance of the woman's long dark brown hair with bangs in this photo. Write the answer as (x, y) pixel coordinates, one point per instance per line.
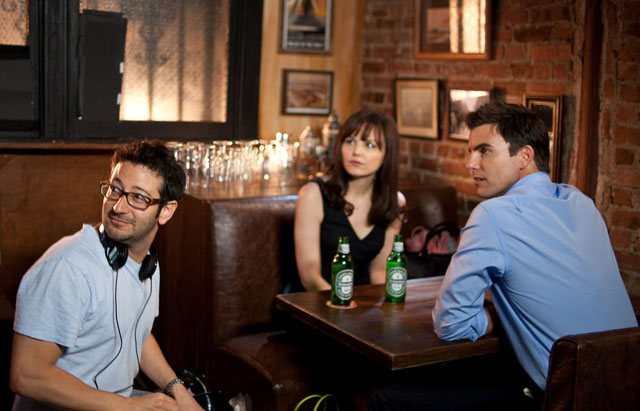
(384, 201)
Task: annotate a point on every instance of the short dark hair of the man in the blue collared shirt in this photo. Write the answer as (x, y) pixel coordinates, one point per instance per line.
(519, 127)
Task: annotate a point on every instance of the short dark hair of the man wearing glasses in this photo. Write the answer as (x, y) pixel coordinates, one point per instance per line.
(157, 157)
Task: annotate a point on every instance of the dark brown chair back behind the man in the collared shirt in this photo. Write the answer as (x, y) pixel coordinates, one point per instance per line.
(595, 371)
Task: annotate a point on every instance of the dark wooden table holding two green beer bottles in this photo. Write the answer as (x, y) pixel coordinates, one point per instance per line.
(397, 336)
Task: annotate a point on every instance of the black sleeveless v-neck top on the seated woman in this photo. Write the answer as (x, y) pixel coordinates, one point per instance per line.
(335, 224)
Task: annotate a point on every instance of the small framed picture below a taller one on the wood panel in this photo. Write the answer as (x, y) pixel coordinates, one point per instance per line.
(307, 92)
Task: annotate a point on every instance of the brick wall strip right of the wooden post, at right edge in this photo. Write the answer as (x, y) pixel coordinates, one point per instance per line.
(618, 196)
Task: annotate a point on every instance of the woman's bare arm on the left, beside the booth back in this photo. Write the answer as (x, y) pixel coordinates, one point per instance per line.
(306, 232)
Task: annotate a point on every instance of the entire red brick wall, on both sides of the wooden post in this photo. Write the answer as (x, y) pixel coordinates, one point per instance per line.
(537, 47)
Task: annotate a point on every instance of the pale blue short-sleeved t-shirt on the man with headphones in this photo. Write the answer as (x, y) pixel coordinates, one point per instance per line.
(67, 297)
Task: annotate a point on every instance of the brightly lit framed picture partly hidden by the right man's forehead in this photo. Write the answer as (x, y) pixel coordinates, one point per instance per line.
(462, 101)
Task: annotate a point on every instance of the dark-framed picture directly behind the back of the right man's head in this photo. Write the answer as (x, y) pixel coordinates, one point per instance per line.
(549, 108)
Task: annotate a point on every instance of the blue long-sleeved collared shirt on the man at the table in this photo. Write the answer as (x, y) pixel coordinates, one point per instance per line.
(543, 252)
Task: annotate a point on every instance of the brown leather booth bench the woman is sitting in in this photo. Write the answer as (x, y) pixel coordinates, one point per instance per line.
(223, 261)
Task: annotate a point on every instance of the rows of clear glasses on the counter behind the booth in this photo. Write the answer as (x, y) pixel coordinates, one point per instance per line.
(225, 161)
